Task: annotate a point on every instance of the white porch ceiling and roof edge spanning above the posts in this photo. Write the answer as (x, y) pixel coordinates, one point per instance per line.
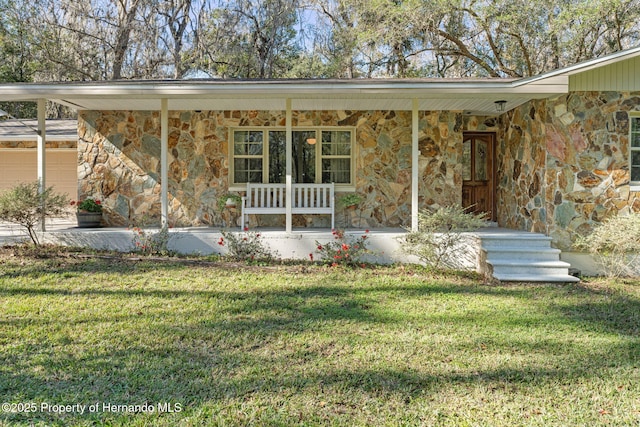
(472, 96)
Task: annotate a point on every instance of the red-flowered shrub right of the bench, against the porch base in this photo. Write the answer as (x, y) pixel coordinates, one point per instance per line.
(344, 249)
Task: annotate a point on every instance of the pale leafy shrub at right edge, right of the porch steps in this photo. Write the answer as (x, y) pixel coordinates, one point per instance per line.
(615, 245)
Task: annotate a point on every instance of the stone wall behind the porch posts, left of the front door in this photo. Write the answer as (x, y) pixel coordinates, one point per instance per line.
(119, 162)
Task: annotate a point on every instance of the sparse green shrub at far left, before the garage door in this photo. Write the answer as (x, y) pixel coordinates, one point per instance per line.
(26, 206)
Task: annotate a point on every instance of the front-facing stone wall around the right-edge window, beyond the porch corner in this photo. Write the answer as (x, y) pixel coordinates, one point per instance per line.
(587, 144)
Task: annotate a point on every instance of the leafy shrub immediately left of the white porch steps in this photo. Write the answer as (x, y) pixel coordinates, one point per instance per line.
(437, 241)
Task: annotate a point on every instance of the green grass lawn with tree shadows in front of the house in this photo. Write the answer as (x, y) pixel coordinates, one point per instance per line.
(296, 345)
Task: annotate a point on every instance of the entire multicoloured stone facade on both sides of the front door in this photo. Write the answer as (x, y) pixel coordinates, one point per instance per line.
(562, 164)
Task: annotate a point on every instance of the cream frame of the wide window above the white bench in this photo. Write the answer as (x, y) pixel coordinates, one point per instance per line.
(343, 187)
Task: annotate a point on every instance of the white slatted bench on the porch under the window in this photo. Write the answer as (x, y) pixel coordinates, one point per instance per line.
(305, 199)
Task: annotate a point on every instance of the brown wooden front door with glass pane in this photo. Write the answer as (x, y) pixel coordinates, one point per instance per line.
(478, 173)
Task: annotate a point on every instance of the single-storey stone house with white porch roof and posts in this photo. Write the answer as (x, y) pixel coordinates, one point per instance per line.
(555, 153)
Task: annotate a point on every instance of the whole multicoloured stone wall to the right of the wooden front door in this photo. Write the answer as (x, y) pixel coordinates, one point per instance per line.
(563, 164)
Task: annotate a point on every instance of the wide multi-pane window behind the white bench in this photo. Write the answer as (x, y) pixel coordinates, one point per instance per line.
(318, 156)
